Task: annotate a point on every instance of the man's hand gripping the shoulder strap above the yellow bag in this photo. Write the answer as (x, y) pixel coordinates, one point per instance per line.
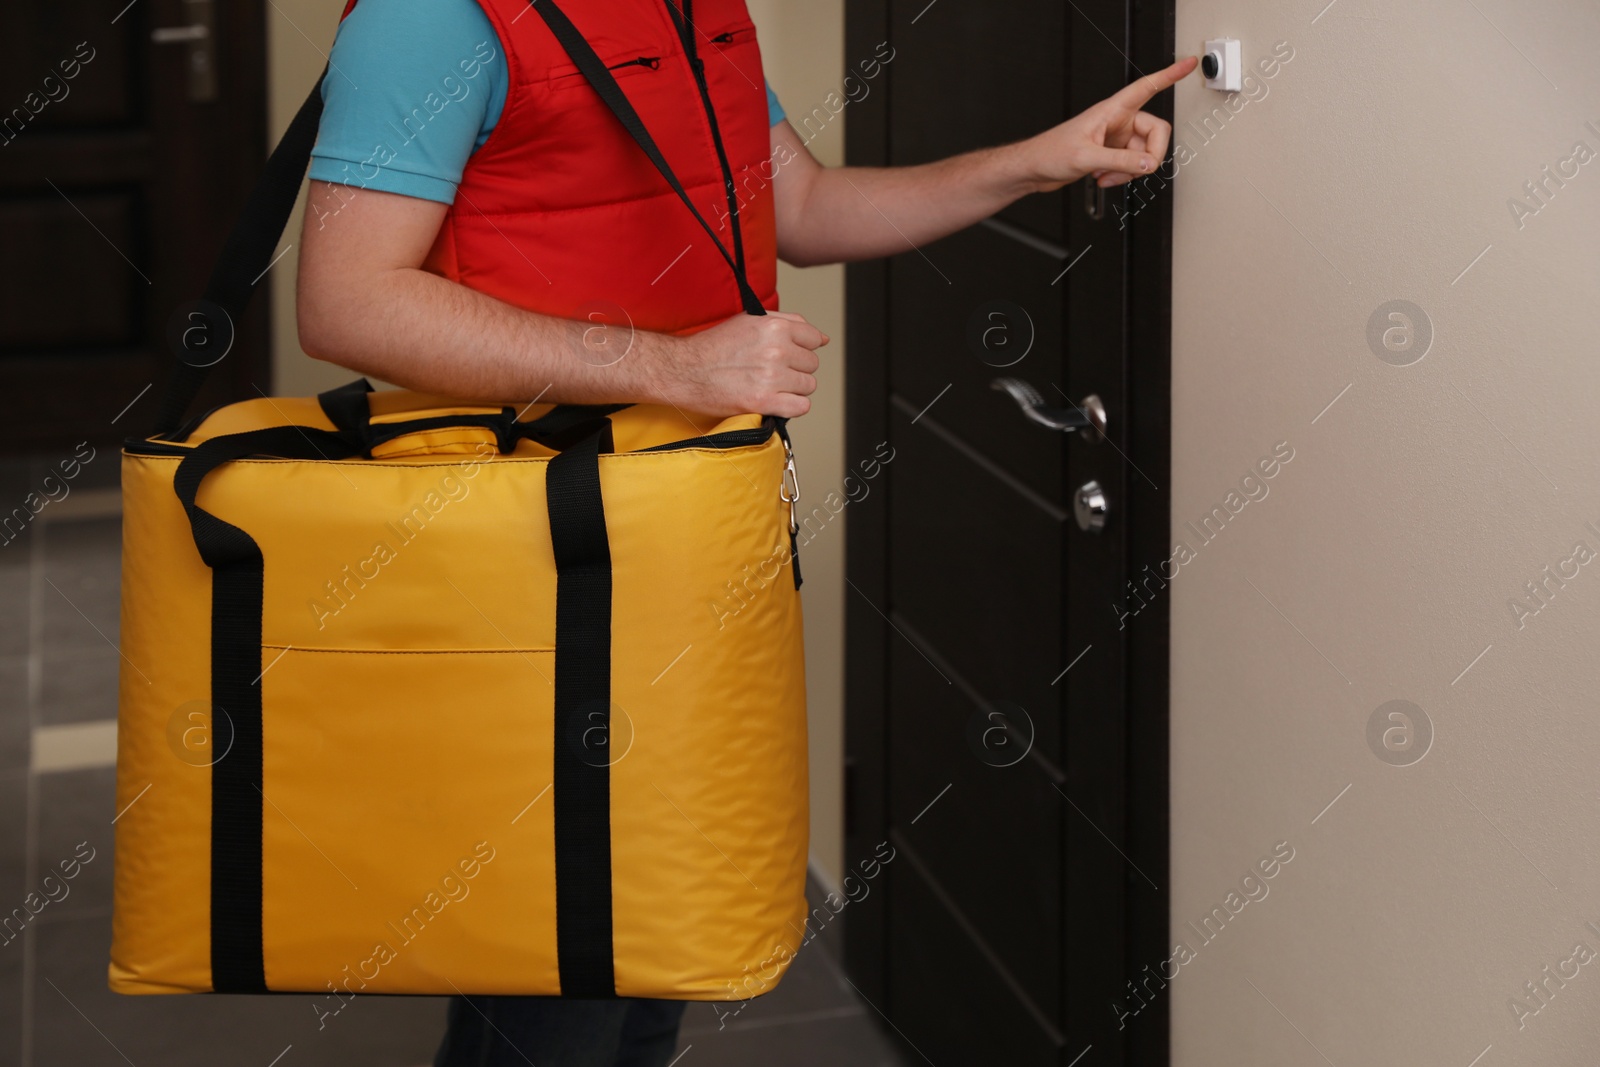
(762, 364)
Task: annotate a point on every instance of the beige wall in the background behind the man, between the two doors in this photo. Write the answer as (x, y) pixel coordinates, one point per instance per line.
(804, 52)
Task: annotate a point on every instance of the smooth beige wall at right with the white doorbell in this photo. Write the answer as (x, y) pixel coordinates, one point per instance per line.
(1385, 556)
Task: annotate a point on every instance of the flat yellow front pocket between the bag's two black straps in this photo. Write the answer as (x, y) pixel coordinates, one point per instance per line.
(407, 831)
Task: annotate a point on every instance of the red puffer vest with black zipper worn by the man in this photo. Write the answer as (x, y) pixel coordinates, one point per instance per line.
(561, 212)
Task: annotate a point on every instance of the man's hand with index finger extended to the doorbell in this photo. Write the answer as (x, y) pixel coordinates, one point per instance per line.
(1113, 140)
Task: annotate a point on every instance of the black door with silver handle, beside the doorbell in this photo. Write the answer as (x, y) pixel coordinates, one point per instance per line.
(1006, 727)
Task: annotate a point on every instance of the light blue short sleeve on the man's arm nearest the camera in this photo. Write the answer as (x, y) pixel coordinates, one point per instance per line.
(414, 89)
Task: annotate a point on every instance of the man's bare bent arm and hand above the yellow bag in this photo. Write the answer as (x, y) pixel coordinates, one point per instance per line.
(366, 303)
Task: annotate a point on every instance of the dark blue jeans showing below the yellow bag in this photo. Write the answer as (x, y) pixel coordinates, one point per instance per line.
(556, 1033)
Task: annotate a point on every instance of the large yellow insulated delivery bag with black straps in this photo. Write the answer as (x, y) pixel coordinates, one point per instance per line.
(460, 716)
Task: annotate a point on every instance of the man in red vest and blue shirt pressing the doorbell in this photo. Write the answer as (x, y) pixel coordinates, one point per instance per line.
(476, 212)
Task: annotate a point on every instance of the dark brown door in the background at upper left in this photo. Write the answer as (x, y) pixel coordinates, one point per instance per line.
(129, 138)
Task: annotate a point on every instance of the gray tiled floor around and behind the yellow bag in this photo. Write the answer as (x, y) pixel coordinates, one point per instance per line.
(58, 665)
